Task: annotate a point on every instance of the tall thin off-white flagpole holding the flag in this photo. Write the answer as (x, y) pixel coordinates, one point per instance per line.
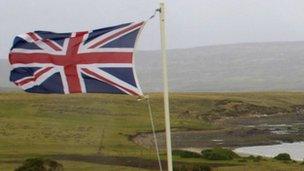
(166, 87)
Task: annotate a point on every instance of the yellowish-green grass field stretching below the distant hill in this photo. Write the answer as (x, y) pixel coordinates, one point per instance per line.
(57, 126)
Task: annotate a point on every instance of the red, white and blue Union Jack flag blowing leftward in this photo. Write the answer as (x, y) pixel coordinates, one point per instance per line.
(98, 61)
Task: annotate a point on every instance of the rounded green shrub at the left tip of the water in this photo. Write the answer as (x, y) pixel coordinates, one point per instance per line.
(219, 154)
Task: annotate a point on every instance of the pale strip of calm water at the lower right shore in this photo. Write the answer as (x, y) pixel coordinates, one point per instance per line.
(295, 150)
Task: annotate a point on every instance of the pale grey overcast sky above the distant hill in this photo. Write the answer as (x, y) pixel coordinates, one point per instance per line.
(190, 23)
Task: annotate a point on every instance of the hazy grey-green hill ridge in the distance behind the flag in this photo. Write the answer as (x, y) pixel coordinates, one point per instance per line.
(235, 67)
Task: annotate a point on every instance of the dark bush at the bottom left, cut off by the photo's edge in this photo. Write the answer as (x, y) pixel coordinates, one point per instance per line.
(38, 164)
